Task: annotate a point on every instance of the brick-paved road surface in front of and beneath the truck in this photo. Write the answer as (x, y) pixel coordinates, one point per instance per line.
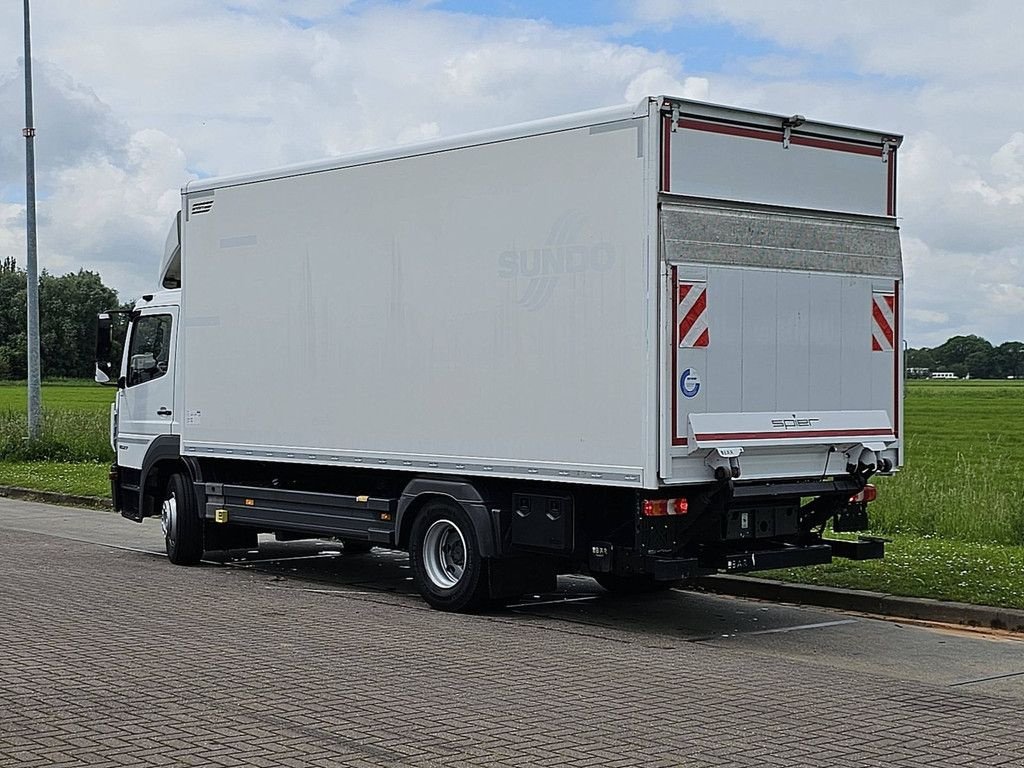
(298, 655)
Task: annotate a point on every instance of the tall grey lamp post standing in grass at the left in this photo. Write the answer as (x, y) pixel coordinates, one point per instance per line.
(32, 268)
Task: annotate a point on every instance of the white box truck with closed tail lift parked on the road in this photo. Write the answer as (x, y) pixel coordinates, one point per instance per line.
(646, 344)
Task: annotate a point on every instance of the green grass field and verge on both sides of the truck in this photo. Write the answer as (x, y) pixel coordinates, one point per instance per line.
(956, 513)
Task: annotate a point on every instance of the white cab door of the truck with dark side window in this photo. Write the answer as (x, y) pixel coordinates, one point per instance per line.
(146, 401)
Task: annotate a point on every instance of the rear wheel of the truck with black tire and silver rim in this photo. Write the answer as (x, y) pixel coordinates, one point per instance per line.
(448, 568)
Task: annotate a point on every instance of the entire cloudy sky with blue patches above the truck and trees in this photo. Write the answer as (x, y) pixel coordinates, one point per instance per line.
(133, 100)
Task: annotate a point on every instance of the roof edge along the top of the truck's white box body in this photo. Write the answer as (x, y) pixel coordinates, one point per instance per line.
(548, 125)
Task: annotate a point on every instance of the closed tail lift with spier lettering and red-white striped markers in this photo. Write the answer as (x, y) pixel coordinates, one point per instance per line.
(780, 334)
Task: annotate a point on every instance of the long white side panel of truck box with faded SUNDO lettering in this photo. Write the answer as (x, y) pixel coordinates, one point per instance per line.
(476, 311)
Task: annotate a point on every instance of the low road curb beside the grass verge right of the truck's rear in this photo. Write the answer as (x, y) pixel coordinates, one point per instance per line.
(862, 602)
